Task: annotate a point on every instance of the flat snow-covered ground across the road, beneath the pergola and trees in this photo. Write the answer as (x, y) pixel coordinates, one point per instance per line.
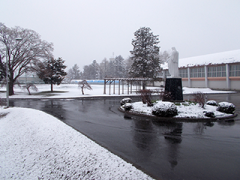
(72, 91)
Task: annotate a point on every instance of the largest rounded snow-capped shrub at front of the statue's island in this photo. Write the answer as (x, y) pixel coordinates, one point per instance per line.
(164, 109)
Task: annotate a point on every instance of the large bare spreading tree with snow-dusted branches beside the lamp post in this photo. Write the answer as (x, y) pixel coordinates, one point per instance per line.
(21, 55)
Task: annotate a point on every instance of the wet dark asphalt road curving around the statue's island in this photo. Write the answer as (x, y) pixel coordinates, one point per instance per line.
(204, 151)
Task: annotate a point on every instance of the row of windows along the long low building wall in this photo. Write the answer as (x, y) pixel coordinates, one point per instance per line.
(213, 71)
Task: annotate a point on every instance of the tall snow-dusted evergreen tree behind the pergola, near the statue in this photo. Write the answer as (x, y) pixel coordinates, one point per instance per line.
(145, 54)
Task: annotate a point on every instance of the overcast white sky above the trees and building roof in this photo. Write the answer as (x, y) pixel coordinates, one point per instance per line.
(87, 30)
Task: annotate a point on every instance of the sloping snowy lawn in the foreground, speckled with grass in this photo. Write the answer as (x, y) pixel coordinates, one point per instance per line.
(35, 145)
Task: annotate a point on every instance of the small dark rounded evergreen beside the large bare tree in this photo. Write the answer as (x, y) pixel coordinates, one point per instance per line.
(51, 71)
